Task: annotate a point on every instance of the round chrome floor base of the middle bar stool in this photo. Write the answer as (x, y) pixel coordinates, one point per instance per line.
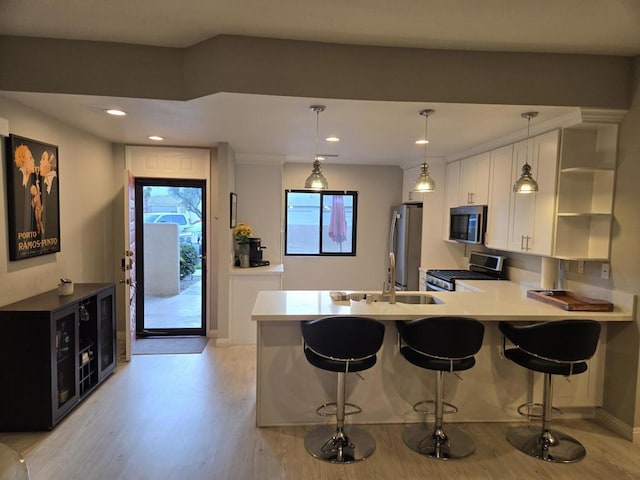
(436, 443)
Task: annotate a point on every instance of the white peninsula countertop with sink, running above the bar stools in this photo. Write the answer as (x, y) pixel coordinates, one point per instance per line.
(497, 300)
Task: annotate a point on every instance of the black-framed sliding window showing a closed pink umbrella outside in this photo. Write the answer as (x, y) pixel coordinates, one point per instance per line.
(320, 223)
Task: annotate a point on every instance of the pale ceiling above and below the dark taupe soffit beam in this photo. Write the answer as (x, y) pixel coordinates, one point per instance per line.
(284, 126)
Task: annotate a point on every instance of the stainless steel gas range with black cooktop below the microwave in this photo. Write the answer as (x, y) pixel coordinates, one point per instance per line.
(482, 266)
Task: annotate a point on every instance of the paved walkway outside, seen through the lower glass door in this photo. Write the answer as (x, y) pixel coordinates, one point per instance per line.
(178, 311)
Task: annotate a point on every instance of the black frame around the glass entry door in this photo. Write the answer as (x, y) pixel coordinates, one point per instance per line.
(141, 182)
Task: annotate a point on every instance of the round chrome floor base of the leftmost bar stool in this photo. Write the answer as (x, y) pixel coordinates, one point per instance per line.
(347, 445)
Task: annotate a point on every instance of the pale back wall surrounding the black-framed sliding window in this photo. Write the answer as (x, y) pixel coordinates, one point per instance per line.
(379, 188)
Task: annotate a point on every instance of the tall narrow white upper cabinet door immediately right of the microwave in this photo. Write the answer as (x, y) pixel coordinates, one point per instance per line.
(500, 189)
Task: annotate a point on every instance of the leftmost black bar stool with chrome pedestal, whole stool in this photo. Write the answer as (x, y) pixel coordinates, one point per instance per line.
(341, 345)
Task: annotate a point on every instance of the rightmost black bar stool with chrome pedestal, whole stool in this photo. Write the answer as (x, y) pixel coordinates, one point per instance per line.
(553, 348)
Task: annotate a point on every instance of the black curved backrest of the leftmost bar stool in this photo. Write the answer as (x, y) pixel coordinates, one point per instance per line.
(343, 338)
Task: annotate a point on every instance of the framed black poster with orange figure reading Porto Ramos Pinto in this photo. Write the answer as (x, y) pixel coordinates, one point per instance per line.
(33, 198)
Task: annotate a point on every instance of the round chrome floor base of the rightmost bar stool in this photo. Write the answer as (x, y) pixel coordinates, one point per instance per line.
(549, 445)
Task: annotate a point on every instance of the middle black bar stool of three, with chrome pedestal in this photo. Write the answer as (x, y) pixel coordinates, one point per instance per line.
(442, 344)
